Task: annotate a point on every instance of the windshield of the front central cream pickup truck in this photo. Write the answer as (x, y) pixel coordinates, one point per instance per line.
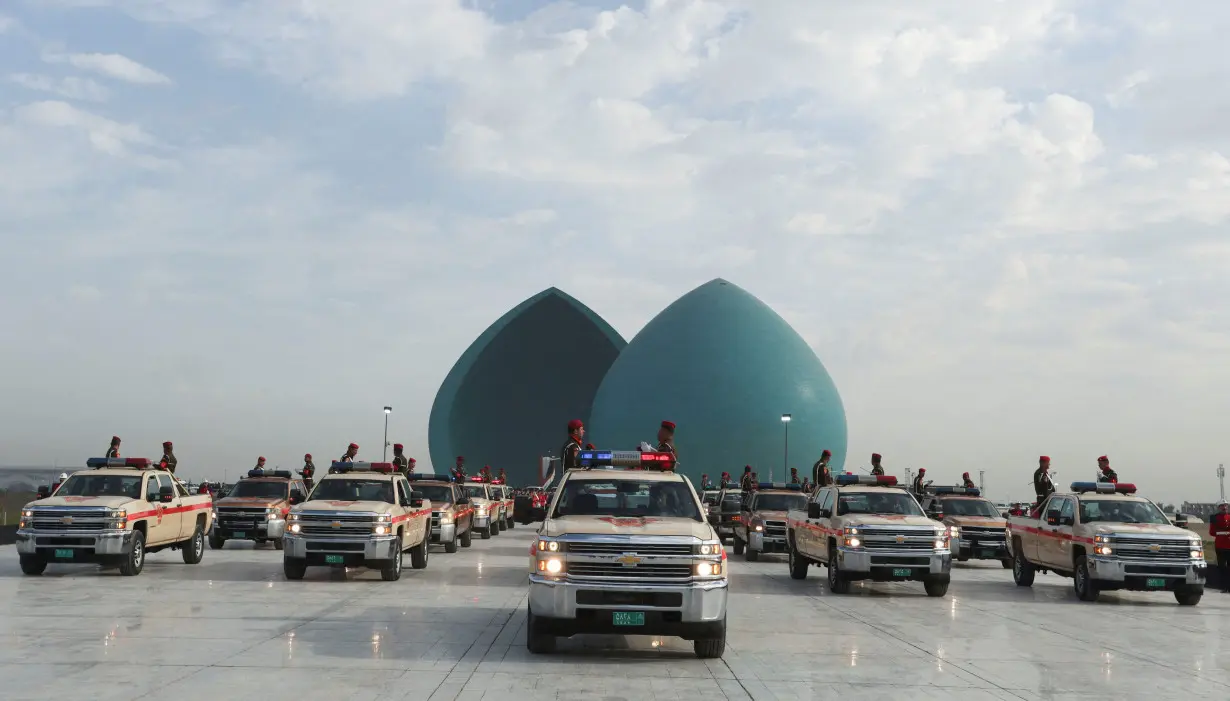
(627, 499)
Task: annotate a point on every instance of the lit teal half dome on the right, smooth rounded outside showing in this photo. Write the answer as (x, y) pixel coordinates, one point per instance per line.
(725, 368)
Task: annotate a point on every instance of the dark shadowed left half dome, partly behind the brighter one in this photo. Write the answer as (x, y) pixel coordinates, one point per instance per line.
(509, 399)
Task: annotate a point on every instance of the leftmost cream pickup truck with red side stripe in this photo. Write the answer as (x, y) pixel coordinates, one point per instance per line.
(115, 515)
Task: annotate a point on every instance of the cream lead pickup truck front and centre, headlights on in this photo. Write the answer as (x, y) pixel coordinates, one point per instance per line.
(625, 549)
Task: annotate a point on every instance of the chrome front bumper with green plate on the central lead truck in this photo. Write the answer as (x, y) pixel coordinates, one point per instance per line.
(565, 608)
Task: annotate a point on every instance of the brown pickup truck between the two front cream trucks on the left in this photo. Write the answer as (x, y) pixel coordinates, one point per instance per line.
(256, 509)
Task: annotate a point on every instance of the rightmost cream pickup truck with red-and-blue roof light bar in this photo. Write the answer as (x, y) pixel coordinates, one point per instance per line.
(1108, 538)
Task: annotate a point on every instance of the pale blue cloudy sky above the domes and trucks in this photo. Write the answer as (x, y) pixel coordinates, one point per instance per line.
(249, 226)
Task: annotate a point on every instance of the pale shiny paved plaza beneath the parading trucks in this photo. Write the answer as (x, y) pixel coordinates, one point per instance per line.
(233, 628)
